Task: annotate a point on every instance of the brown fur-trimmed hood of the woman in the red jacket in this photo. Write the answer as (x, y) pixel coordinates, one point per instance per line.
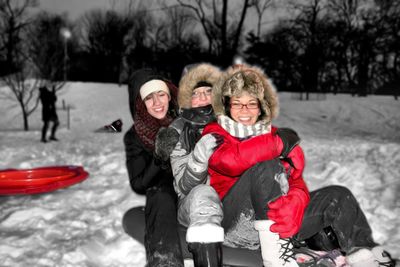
(262, 88)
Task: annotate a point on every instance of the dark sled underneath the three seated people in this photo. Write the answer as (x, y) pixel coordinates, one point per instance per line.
(234, 257)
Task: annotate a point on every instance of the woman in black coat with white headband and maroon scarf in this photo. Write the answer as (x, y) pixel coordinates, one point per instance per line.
(152, 102)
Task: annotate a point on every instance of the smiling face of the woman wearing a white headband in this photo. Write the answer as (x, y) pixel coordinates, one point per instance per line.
(157, 104)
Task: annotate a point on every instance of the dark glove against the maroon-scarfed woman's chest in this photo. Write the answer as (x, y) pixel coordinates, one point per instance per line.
(165, 142)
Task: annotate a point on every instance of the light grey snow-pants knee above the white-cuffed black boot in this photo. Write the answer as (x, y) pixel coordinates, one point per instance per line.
(201, 206)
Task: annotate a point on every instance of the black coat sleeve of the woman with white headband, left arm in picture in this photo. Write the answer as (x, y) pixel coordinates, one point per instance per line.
(142, 169)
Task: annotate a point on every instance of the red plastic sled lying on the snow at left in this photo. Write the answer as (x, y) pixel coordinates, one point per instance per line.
(39, 180)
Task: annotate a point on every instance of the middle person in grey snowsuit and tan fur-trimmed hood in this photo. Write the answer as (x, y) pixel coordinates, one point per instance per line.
(199, 207)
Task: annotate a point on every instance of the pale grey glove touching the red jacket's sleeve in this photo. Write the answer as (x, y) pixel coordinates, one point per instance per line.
(203, 150)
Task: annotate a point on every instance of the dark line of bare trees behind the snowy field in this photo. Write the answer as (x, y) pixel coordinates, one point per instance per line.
(339, 46)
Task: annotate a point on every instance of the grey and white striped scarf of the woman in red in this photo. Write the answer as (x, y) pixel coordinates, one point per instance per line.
(243, 131)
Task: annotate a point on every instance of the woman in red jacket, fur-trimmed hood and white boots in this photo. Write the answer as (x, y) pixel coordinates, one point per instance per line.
(259, 179)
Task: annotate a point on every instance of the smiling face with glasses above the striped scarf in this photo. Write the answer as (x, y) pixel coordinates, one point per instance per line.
(244, 109)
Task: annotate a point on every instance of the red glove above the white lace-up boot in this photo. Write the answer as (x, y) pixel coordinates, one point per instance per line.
(287, 212)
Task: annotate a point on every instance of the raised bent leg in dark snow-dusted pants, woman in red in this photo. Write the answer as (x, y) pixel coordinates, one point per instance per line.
(247, 201)
